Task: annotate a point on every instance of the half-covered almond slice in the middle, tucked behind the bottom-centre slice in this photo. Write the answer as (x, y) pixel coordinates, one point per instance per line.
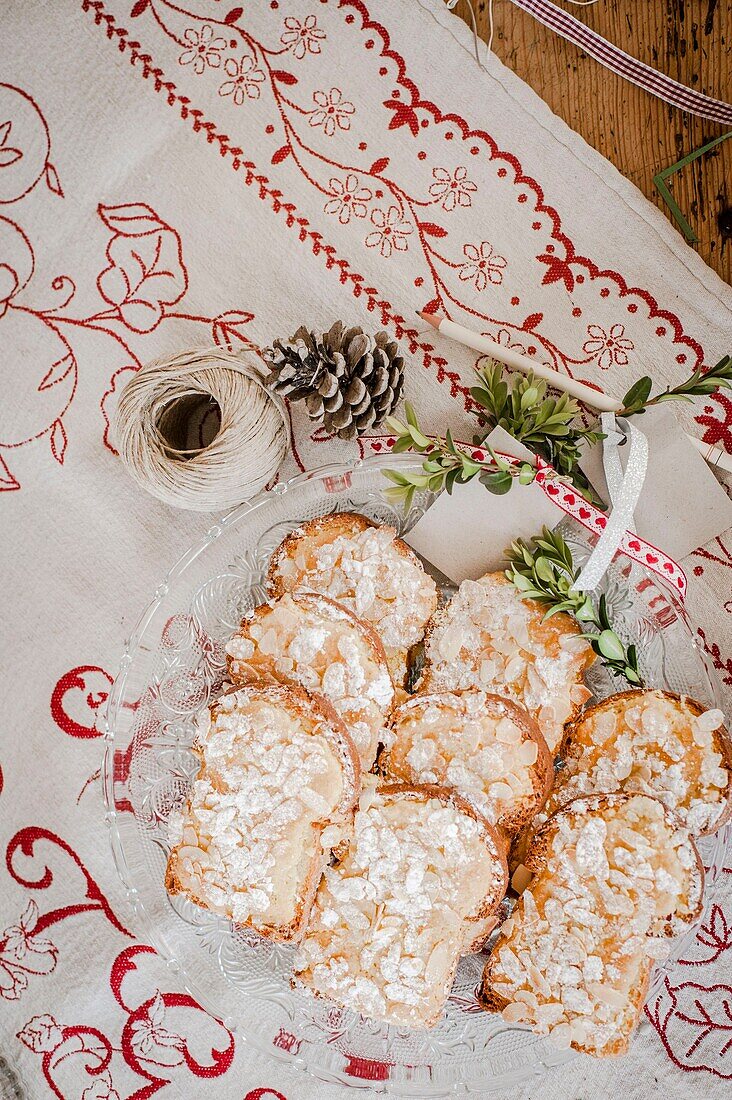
(489, 750)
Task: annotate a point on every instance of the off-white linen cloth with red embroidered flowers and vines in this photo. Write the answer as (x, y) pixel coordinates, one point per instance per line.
(173, 174)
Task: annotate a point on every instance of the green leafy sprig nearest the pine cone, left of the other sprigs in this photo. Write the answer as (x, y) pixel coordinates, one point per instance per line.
(445, 465)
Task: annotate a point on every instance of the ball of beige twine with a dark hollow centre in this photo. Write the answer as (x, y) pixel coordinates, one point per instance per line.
(201, 431)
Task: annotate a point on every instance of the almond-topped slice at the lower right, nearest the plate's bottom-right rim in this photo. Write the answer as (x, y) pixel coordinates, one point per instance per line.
(613, 876)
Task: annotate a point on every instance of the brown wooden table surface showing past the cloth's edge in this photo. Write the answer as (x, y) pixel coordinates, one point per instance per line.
(690, 40)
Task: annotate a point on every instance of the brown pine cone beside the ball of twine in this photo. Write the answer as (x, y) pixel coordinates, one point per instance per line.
(348, 380)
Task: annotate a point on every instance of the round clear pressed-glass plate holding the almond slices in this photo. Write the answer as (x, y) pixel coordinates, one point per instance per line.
(174, 665)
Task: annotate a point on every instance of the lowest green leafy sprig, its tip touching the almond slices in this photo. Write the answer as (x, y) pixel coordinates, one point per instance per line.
(544, 570)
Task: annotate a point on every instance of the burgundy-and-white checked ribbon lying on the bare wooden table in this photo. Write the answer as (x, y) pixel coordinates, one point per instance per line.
(631, 69)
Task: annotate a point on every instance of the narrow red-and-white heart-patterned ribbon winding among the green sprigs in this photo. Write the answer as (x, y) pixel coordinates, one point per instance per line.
(575, 505)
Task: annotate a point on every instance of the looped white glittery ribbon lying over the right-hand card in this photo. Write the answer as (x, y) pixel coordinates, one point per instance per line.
(625, 490)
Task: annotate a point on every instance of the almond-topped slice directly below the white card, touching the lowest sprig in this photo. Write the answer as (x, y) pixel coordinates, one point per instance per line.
(488, 637)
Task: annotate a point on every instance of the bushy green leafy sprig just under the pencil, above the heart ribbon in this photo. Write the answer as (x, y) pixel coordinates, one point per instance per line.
(549, 426)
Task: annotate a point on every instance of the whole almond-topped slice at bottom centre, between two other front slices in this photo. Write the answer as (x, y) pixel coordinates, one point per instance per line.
(423, 874)
